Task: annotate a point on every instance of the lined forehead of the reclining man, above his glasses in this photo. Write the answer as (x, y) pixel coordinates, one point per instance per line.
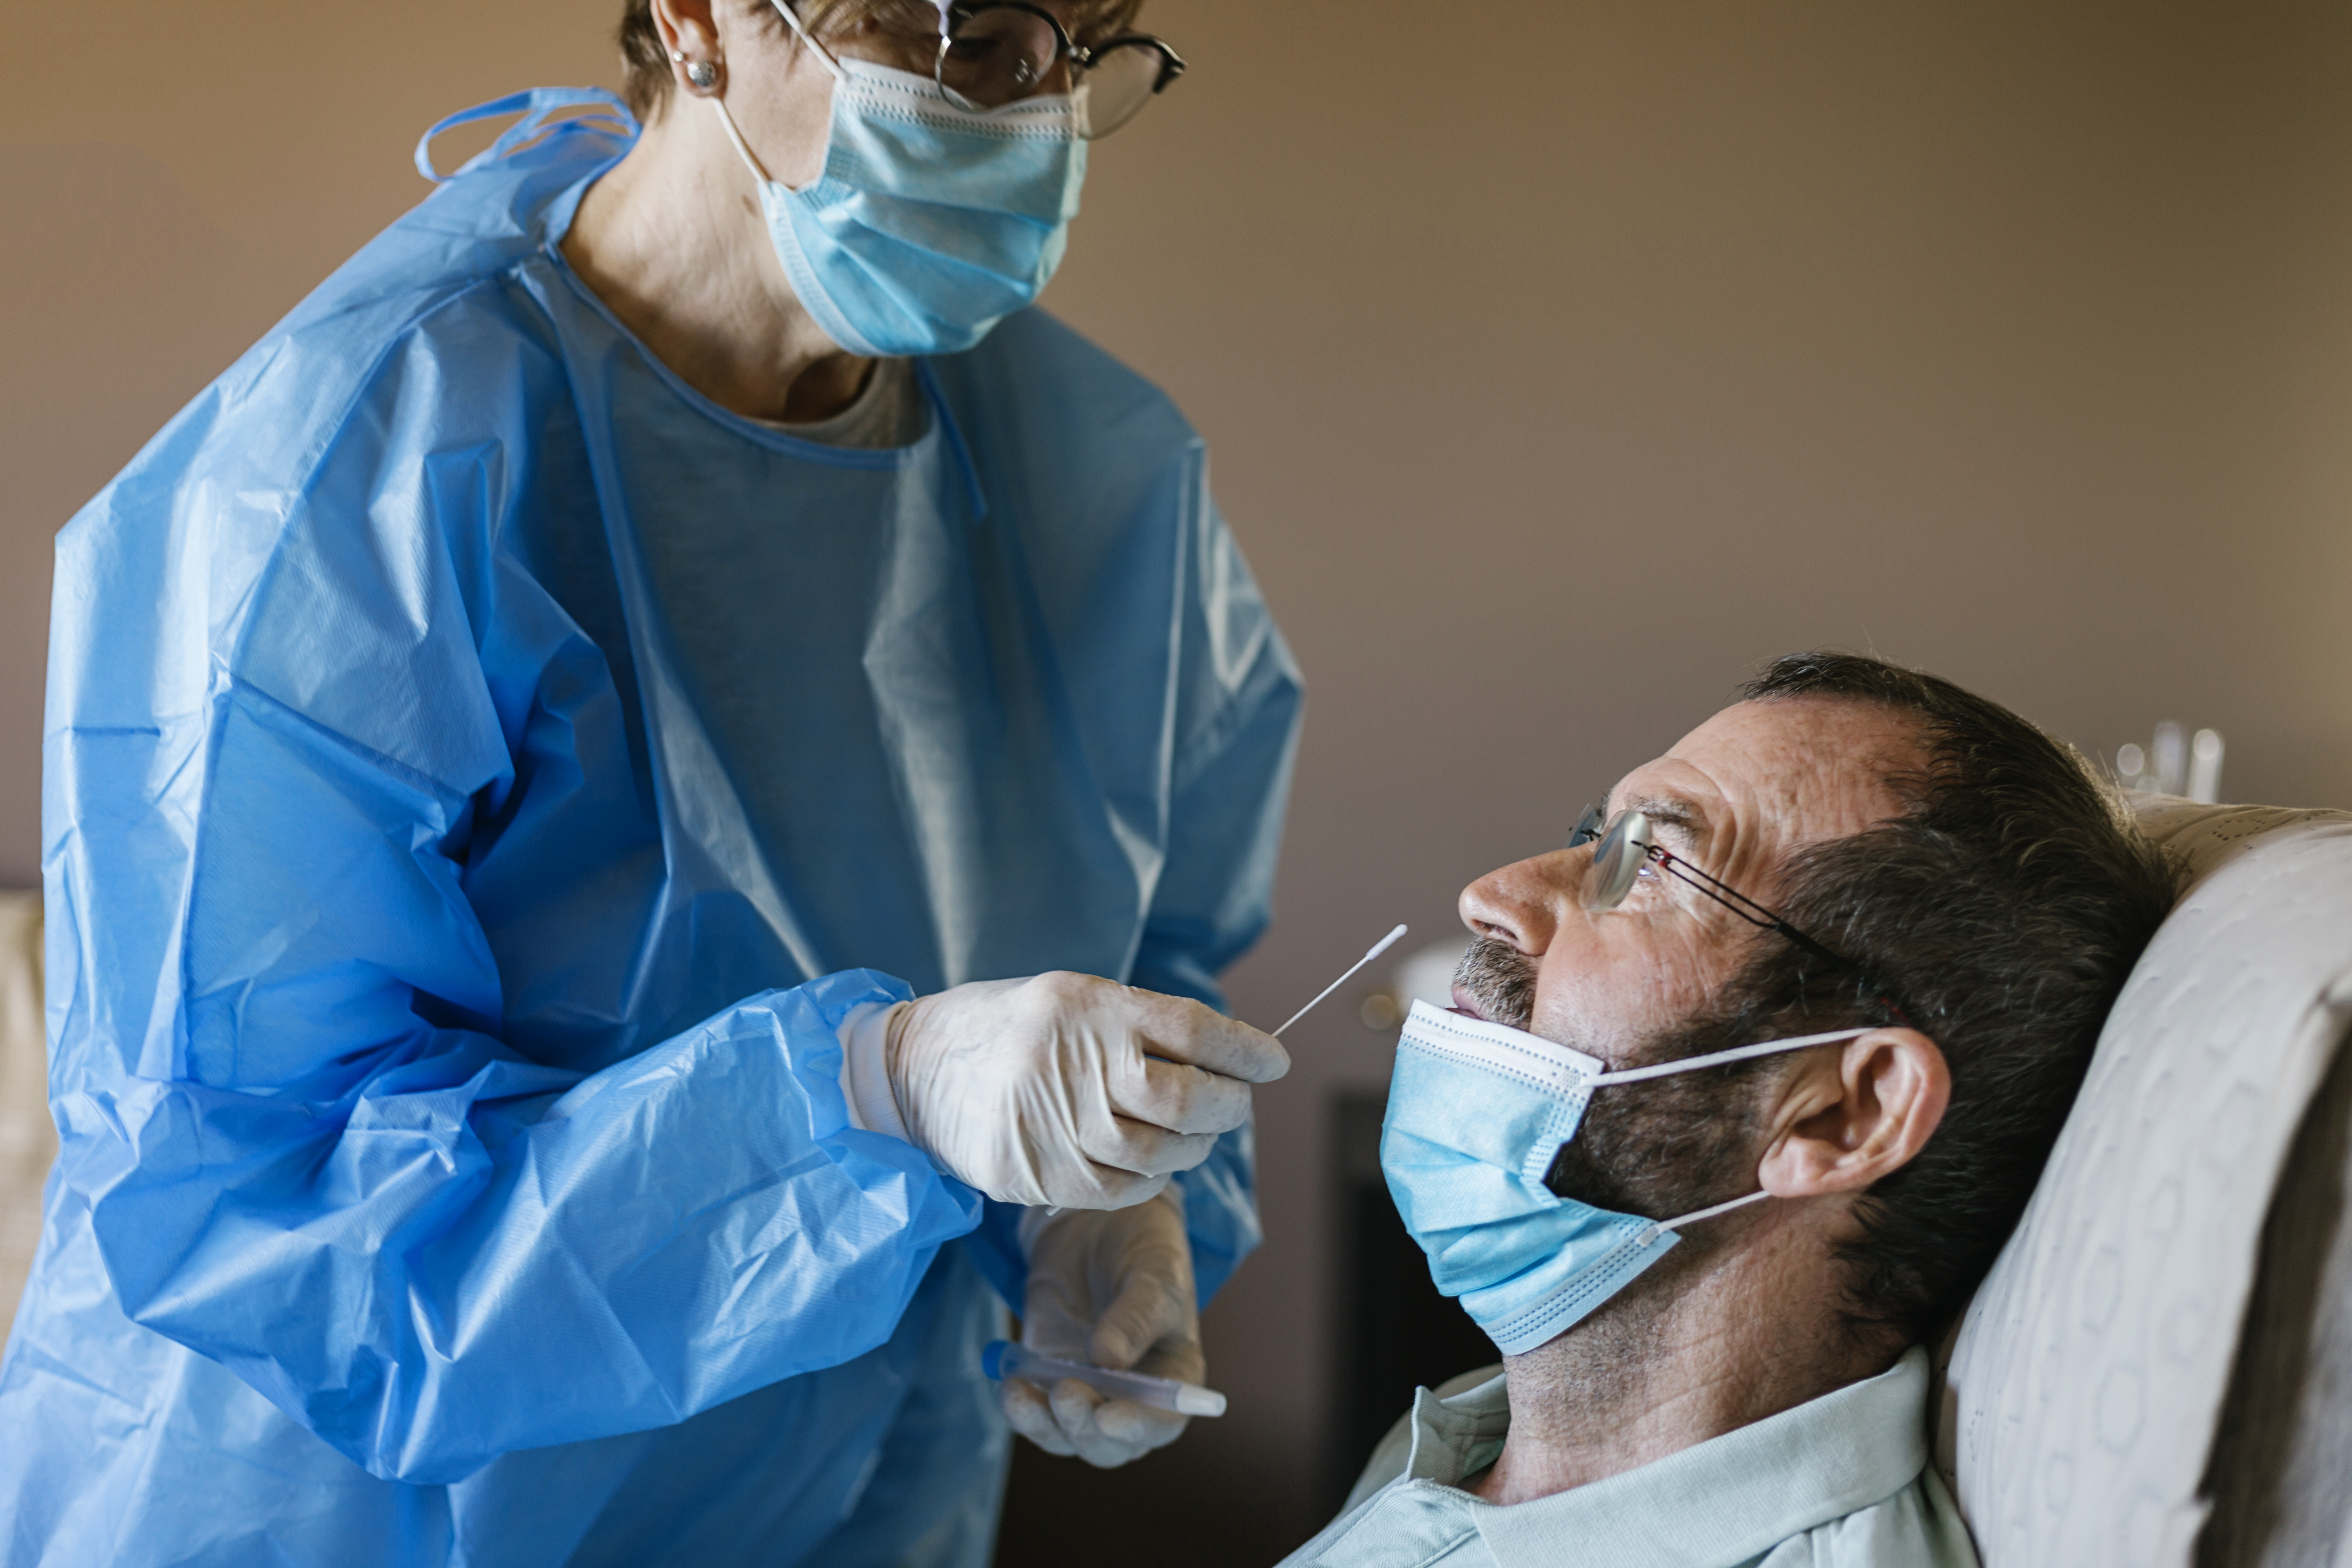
(1789, 768)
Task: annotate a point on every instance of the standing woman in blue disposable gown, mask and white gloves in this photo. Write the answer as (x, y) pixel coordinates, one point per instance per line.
(568, 777)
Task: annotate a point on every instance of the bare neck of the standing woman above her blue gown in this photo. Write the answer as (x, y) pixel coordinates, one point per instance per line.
(676, 246)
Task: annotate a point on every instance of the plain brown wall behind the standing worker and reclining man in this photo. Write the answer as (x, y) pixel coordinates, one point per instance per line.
(1561, 361)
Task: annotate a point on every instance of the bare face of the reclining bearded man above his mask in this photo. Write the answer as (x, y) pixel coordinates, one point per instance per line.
(1735, 798)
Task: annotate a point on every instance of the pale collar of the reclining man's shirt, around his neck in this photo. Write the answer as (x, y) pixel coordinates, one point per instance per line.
(1725, 1501)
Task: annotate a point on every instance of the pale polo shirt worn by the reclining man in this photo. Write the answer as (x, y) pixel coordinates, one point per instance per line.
(1838, 1482)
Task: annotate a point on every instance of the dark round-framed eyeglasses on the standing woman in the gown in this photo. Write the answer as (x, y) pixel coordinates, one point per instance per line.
(996, 53)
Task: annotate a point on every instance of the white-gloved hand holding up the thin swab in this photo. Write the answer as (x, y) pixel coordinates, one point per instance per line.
(1048, 1090)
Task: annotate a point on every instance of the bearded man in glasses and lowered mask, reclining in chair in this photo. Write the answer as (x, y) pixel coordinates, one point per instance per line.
(1713, 1287)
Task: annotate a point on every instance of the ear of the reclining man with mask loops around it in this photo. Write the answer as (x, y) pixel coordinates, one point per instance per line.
(1852, 1118)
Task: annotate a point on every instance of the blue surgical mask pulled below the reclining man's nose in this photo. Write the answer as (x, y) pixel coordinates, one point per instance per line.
(1476, 1118)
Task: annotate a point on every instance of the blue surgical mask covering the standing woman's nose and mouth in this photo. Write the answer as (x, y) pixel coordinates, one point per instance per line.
(930, 222)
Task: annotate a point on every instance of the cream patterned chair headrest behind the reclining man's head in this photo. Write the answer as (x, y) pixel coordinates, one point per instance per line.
(2090, 1372)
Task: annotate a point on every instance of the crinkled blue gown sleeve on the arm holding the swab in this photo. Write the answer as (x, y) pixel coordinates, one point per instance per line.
(279, 1068)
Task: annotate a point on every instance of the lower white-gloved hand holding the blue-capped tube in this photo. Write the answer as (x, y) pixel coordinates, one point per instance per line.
(1111, 1289)
